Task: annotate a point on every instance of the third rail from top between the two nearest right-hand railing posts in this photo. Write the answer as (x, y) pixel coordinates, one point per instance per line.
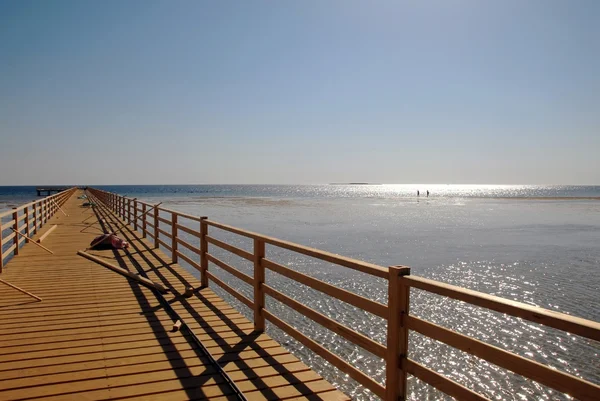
(354, 337)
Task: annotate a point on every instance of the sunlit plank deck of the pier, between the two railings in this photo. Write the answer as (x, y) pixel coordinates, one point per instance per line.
(98, 336)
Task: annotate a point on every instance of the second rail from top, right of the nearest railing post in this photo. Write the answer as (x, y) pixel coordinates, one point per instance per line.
(563, 382)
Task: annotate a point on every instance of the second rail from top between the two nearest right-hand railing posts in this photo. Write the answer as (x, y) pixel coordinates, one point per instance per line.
(366, 304)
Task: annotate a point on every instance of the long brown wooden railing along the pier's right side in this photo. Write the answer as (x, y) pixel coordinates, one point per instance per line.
(147, 218)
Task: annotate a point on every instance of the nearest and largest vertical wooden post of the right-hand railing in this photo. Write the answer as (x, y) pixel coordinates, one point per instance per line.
(397, 336)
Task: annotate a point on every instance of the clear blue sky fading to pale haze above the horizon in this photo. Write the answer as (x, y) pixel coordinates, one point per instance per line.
(178, 92)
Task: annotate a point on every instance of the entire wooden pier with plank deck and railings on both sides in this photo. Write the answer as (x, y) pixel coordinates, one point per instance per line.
(97, 334)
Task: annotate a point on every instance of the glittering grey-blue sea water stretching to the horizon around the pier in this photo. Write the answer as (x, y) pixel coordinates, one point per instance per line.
(534, 244)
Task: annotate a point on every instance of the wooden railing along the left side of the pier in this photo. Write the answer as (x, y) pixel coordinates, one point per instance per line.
(27, 219)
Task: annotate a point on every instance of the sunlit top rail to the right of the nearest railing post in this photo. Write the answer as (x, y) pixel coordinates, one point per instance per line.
(557, 320)
